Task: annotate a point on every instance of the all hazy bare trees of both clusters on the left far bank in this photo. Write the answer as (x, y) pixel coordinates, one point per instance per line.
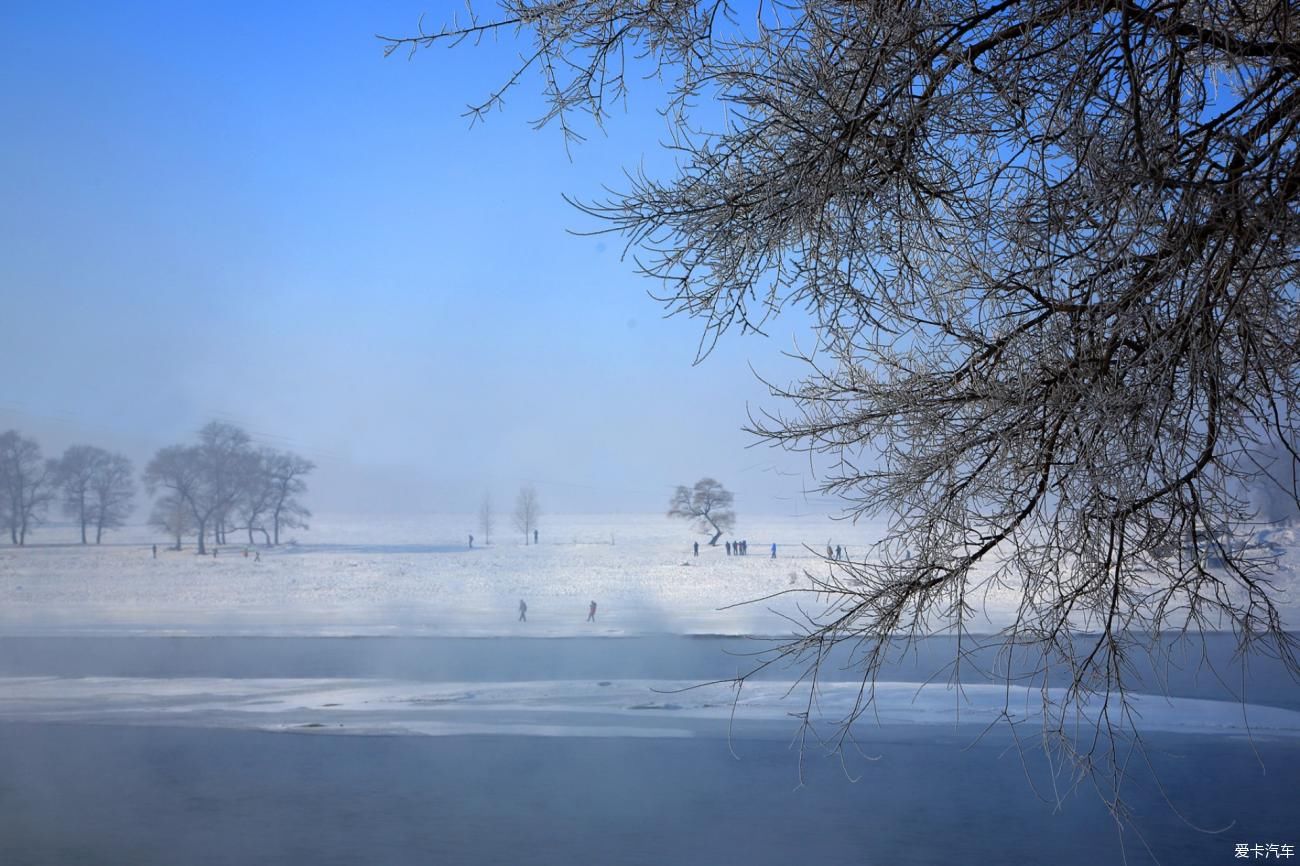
(209, 491)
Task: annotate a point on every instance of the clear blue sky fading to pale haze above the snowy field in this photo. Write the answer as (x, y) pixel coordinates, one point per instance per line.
(246, 213)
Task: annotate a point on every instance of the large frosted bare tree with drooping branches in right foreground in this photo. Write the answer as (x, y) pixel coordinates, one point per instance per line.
(1050, 256)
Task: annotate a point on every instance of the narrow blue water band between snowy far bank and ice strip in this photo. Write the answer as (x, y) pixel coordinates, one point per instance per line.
(1219, 677)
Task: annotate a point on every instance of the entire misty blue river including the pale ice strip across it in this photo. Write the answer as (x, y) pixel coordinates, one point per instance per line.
(226, 751)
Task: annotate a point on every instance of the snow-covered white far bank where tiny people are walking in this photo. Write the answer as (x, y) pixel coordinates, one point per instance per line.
(417, 575)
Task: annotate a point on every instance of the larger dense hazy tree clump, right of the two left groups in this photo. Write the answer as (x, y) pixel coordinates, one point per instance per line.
(223, 486)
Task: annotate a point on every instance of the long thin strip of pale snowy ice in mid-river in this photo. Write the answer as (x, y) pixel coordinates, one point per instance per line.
(566, 708)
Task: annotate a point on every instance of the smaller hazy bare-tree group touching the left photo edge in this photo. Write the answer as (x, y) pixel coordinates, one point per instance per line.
(93, 487)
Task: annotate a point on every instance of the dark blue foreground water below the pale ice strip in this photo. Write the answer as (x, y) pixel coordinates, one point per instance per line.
(166, 796)
